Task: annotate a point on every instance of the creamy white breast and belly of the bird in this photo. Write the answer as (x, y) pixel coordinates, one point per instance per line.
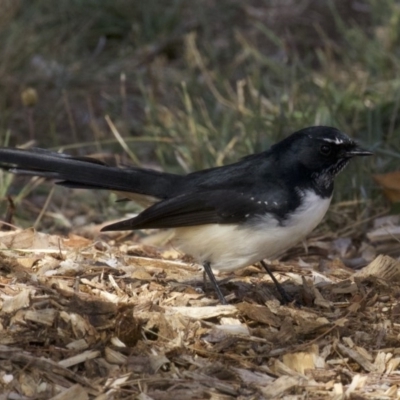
(229, 247)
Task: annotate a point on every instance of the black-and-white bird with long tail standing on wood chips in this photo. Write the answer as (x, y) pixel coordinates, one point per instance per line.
(226, 217)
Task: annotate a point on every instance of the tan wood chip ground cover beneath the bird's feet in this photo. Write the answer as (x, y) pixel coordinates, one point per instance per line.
(87, 319)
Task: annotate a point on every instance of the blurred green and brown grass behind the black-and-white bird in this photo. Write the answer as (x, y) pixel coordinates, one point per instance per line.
(193, 84)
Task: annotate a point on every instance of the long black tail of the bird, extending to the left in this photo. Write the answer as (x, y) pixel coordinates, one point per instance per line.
(89, 173)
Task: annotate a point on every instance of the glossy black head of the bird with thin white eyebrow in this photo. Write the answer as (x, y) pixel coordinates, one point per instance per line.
(319, 153)
